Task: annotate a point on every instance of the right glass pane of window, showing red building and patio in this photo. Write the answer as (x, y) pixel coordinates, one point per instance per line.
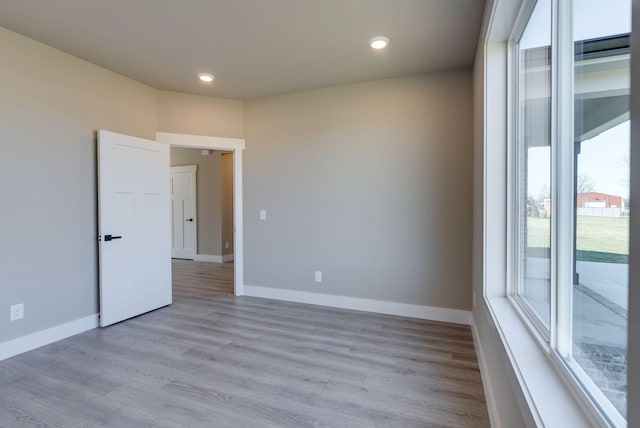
(601, 155)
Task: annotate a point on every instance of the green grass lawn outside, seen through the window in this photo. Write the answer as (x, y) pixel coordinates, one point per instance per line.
(600, 239)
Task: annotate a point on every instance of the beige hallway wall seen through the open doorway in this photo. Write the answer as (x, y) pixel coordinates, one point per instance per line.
(208, 196)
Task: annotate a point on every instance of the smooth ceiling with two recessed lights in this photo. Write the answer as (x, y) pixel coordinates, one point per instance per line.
(255, 48)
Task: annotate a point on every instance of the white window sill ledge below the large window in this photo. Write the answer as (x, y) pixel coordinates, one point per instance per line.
(550, 400)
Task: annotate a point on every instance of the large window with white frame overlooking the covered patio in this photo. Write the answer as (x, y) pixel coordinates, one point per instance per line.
(571, 157)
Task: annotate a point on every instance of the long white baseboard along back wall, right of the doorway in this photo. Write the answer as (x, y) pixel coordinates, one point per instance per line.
(368, 305)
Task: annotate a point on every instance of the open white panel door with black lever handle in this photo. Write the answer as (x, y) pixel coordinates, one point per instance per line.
(134, 219)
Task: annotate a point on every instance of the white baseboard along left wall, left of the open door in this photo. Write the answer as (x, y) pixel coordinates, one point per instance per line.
(44, 337)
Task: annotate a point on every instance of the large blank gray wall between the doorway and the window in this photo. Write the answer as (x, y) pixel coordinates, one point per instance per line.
(370, 184)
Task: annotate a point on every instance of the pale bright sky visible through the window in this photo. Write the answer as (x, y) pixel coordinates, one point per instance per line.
(603, 158)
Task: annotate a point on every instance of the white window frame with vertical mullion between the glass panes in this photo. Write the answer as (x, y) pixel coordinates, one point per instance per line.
(555, 342)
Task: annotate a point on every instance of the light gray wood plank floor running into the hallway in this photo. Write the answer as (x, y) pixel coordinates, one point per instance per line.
(215, 360)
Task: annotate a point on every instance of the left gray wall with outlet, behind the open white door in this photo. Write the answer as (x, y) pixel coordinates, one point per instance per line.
(51, 105)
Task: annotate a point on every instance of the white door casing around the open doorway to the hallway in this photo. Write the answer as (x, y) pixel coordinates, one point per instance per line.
(235, 145)
